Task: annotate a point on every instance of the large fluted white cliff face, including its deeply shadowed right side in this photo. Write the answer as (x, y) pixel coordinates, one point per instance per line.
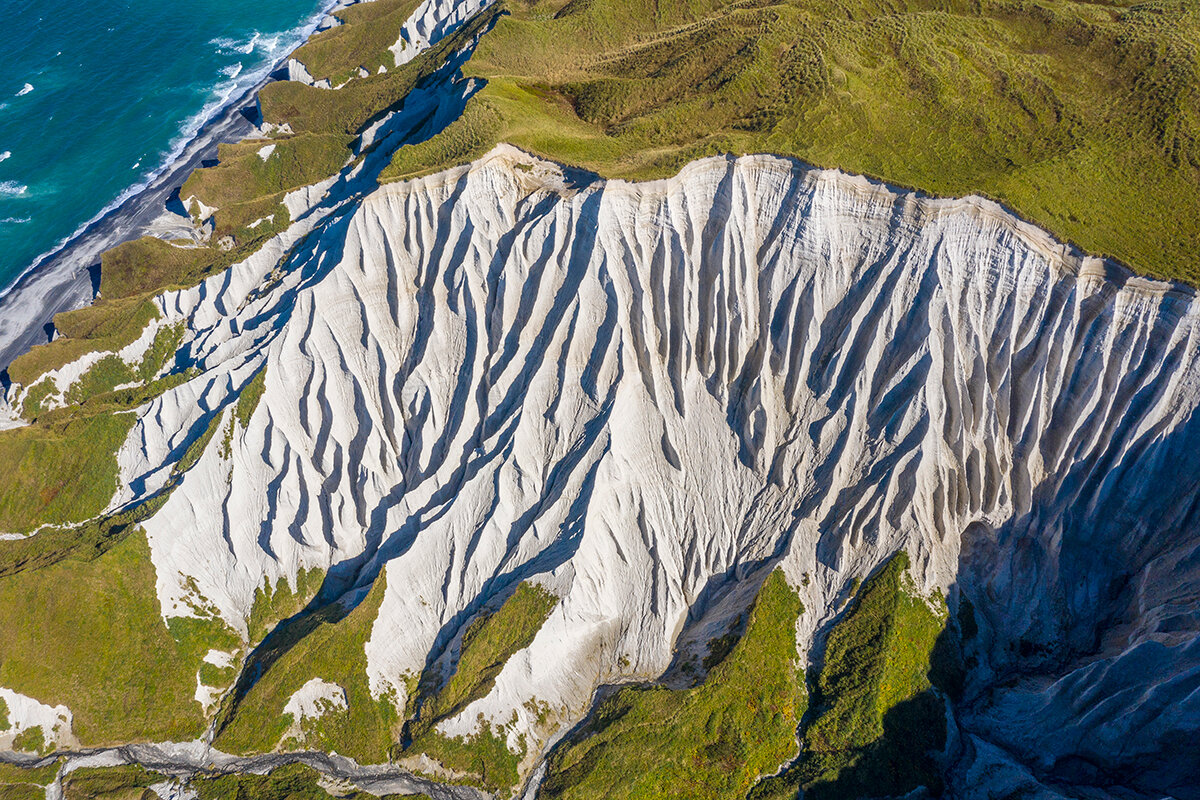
(646, 396)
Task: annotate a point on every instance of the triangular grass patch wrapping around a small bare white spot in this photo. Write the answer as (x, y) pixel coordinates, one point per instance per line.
(329, 647)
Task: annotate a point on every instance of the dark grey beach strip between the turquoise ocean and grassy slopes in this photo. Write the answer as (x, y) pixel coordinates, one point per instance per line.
(68, 278)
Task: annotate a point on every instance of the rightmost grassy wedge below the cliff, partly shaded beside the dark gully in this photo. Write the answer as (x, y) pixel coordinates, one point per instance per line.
(877, 717)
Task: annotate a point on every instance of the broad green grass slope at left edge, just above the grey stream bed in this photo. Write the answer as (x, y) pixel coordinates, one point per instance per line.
(77, 629)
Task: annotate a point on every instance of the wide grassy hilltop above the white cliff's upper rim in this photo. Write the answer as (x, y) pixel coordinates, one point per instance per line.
(1083, 117)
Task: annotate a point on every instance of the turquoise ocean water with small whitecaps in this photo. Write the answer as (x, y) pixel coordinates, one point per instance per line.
(97, 97)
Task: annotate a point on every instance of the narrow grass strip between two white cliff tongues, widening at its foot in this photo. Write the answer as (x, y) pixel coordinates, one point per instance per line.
(488, 643)
